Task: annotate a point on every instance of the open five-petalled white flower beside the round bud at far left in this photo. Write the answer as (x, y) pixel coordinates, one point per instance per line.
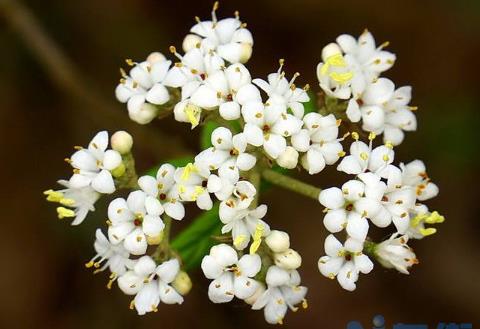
(93, 166)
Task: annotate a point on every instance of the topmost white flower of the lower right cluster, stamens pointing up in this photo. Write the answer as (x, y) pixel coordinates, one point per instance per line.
(363, 158)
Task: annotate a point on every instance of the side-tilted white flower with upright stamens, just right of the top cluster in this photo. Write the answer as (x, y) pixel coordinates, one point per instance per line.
(283, 92)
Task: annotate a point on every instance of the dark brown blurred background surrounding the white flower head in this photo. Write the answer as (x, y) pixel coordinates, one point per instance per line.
(52, 100)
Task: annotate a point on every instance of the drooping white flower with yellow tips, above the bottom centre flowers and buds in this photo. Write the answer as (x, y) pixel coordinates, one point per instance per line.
(244, 224)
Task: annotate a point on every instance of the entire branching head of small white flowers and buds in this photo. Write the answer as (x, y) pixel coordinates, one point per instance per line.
(262, 124)
